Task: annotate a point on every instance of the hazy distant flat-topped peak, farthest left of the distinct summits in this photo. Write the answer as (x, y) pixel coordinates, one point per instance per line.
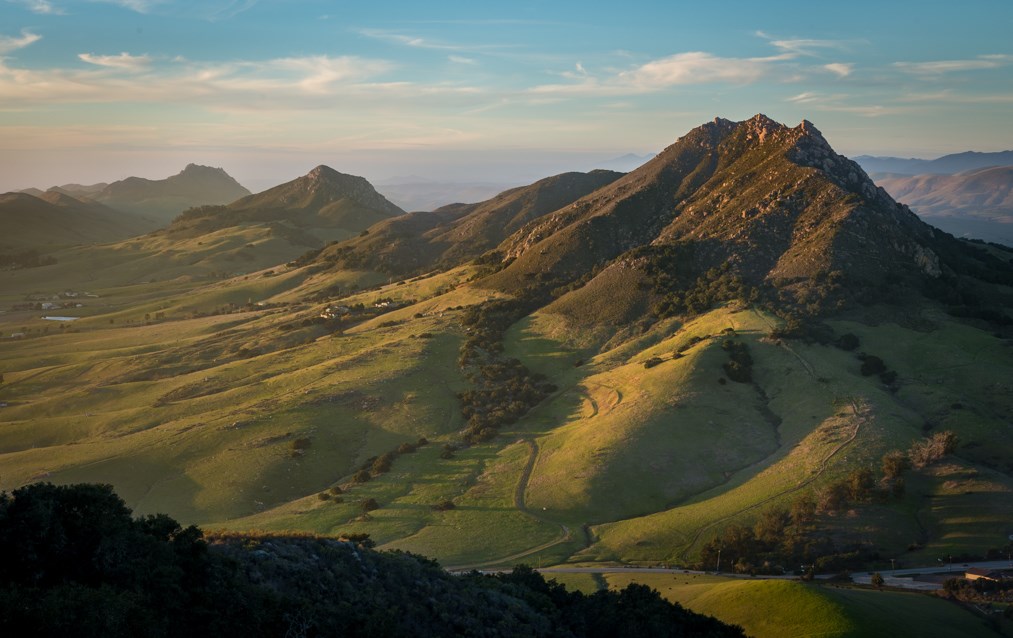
(163, 200)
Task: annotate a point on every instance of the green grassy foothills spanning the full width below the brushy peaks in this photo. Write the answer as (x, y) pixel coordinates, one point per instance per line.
(220, 449)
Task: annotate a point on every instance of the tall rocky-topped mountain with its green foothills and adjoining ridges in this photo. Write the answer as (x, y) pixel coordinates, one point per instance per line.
(636, 368)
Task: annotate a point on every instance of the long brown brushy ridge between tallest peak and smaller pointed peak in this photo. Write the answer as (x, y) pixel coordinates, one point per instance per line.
(459, 232)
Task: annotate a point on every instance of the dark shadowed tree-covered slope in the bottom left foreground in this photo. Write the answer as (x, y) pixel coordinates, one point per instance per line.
(73, 563)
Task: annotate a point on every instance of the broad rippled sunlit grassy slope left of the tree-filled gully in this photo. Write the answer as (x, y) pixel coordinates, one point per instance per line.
(84, 406)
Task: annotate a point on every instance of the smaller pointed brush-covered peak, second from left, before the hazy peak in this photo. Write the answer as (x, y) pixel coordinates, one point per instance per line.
(325, 204)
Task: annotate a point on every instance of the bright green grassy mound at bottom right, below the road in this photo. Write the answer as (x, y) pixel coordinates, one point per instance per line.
(781, 608)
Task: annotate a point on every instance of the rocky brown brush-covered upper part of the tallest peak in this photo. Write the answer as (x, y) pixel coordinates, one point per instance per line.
(771, 203)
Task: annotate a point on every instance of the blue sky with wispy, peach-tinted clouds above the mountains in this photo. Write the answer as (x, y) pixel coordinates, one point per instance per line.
(97, 91)
